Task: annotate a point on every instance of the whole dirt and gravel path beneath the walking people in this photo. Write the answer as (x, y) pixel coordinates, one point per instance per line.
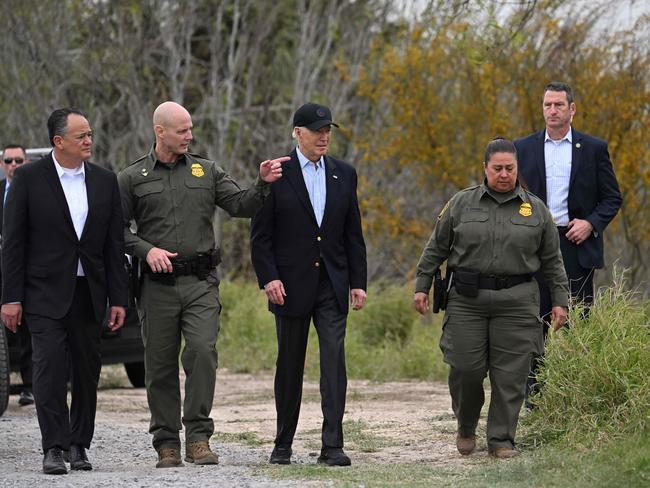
(389, 422)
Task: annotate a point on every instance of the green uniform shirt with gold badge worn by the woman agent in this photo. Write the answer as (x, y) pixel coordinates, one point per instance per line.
(496, 234)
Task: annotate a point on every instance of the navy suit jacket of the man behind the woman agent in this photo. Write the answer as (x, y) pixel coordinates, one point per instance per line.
(594, 194)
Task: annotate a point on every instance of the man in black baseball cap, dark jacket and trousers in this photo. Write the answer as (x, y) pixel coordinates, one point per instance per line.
(309, 255)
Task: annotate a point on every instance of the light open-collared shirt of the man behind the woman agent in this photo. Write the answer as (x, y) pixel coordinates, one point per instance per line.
(557, 156)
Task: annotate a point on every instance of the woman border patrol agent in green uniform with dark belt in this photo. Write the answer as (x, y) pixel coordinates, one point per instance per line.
(494, 236)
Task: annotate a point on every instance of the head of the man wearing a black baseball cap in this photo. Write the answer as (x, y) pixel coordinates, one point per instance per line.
(312, 127)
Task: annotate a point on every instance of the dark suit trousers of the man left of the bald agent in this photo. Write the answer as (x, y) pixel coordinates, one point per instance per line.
(76, 336)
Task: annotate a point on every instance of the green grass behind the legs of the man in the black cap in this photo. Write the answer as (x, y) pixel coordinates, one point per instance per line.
(385, 341)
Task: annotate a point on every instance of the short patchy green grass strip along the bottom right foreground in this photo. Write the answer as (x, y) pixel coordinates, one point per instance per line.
(619, 463)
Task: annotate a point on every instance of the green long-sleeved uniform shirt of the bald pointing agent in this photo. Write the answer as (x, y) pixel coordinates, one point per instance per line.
(173, 204)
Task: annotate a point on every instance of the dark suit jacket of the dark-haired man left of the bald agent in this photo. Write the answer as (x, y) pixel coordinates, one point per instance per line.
(40, 248)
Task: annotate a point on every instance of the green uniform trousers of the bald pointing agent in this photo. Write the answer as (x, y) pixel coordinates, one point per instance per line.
(189, 309)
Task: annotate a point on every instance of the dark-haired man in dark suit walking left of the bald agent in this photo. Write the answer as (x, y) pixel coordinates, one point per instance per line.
(62, 258)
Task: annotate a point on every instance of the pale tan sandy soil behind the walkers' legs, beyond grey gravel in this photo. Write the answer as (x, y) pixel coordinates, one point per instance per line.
(405, 421)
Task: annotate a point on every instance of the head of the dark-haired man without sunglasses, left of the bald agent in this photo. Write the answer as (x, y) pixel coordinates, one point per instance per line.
(70, 135)
